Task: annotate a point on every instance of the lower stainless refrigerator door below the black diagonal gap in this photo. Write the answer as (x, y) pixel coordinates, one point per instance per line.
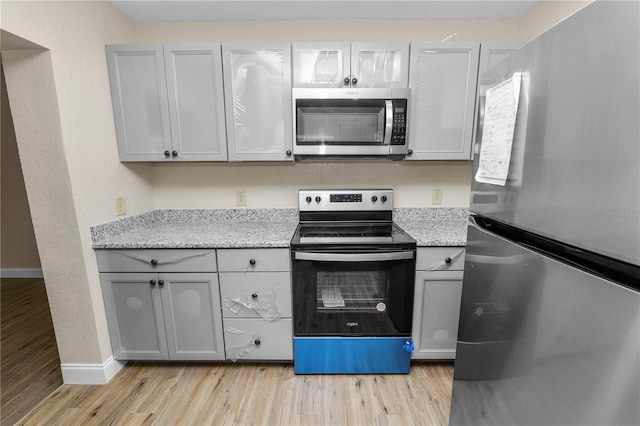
(541, 342)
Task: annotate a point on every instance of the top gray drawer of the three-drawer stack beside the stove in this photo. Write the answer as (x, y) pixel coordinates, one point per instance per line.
(249, 260)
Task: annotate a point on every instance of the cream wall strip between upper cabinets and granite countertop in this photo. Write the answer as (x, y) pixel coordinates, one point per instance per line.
(275, 185)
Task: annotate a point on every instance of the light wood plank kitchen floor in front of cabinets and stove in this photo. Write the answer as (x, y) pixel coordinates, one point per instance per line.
(251, 394)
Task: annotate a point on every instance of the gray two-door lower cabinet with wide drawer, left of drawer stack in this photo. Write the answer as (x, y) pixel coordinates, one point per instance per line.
(158, 315)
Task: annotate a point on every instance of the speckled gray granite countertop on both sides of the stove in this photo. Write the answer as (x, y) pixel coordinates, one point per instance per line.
(257, 228)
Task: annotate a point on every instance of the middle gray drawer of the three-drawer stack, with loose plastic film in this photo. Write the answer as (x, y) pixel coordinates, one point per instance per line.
(255, 295)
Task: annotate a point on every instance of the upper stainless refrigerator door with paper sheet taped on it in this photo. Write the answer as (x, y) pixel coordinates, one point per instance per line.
(575, 160)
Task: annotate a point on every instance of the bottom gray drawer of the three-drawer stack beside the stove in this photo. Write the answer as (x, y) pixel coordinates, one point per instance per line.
(258, 339)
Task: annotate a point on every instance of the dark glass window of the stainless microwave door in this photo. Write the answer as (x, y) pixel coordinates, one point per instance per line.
(340, 122)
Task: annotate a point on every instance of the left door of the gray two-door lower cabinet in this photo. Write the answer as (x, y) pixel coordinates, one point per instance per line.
(134, 314)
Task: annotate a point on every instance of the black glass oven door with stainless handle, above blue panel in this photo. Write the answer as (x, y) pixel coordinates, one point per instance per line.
(353, 292)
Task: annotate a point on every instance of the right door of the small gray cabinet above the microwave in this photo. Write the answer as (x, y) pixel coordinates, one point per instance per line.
(380, 65)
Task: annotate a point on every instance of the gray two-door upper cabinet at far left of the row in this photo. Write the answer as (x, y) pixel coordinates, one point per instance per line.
(167, 102)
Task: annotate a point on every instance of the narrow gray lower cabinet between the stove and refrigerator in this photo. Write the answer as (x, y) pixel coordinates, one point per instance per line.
(436, 309)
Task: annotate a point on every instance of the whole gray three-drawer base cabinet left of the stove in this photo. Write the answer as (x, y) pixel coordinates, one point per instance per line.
(255, 288)
